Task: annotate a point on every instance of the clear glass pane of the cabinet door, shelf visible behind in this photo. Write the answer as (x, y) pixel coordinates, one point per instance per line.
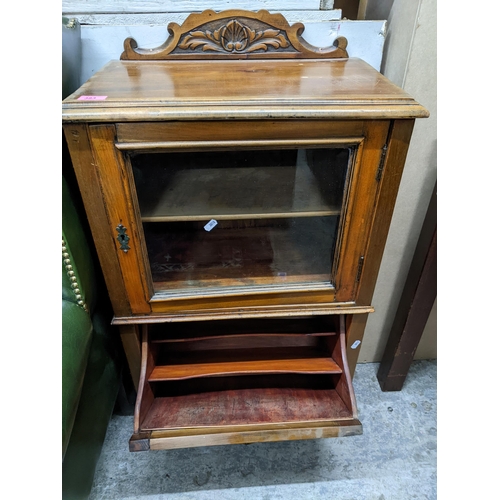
(241, 218)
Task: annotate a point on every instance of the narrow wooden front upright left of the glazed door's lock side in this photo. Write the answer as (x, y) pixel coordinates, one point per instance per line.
(84, 166)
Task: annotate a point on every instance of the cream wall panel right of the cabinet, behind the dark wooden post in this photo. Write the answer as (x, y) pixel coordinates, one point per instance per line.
(410, 61)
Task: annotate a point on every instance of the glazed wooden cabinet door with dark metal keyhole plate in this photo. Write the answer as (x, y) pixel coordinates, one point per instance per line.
(231, 214)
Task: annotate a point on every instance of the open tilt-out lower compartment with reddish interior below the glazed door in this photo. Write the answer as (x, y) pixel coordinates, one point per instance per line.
(208, 382)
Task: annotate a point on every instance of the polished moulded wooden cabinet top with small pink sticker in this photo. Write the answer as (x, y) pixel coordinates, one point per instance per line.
(238, 89)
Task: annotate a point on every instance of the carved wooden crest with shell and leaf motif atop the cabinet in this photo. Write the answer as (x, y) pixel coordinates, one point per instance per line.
(234, 34)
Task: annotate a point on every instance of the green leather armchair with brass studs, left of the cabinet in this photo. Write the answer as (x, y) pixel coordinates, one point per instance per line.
(91, 355)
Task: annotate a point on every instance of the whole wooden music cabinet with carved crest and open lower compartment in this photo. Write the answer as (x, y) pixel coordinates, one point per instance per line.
(239, 184)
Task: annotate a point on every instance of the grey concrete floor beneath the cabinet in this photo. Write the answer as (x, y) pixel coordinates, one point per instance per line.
(394, 458)
